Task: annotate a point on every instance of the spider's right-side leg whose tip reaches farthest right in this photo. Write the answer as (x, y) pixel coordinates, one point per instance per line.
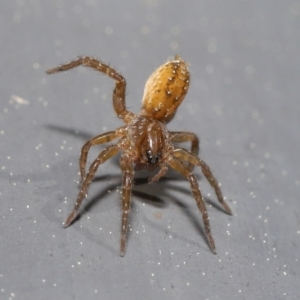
(193, 159)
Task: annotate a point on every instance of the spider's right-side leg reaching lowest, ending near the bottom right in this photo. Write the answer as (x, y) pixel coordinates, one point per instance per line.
(178, 165)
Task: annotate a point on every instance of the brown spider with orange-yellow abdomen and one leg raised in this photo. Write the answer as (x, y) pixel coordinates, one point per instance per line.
(145, 140)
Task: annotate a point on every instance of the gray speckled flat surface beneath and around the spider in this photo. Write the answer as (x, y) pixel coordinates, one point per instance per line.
(244, 104)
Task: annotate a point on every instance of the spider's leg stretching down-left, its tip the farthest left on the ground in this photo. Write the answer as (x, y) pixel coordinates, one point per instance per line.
(103, 156)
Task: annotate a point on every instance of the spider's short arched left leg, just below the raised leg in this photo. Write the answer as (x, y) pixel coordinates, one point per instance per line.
(99, 139)
